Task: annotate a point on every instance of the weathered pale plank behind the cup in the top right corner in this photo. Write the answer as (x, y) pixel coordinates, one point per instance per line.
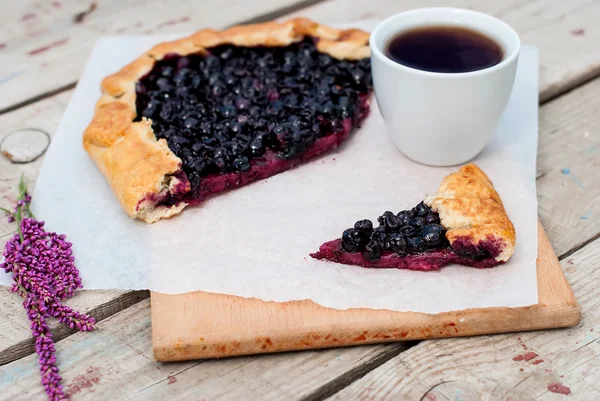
(564, 31)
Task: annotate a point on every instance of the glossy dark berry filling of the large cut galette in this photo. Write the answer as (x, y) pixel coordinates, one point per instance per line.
(236, 108)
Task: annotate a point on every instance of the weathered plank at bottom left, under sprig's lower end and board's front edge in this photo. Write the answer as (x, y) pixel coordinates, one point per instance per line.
(116, 363)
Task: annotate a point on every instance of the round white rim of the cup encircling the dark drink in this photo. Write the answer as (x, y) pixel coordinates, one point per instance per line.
(506, 61)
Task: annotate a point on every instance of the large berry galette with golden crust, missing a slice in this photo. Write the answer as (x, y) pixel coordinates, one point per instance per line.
(221, 109)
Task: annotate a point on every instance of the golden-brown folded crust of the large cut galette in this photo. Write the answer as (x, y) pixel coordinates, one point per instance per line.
(141, 169)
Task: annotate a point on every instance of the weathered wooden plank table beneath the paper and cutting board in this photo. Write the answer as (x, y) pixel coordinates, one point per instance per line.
(43, 47)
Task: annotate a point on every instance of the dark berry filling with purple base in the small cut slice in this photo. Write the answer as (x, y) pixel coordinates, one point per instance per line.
(412, 239)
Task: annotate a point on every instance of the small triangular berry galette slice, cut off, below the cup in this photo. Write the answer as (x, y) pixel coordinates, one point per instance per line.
(463, 223)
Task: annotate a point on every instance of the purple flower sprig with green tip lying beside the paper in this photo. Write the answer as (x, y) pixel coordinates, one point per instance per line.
(44, 274)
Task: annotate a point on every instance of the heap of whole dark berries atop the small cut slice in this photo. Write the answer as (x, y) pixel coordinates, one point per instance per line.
(412, 231)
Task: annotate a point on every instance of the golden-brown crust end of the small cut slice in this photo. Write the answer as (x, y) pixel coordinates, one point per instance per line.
(471, 209)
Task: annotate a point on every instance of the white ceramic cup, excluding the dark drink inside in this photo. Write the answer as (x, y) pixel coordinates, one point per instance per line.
(442, 119)
